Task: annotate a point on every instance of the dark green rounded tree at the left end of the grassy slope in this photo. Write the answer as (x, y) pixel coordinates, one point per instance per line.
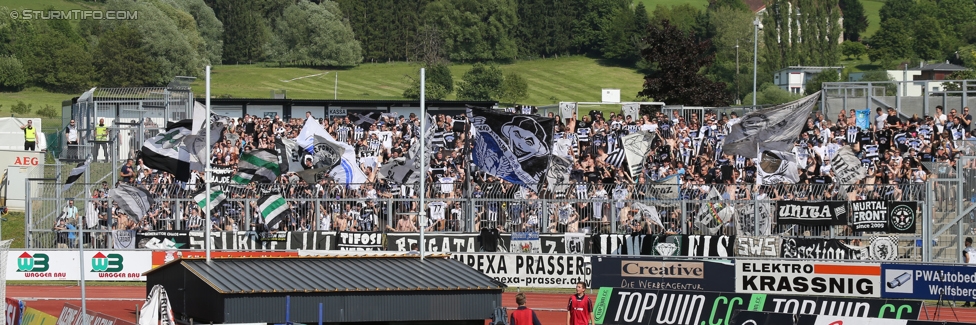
(122, 59)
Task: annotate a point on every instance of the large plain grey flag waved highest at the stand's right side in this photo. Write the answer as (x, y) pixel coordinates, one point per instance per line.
(776, 128)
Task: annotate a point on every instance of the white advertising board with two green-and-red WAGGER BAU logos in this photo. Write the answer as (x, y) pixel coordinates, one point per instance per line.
(64, 265)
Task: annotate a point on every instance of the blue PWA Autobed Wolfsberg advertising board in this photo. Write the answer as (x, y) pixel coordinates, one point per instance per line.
(929, 282)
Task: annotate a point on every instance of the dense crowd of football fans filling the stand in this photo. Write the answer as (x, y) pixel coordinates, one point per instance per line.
(900, 154)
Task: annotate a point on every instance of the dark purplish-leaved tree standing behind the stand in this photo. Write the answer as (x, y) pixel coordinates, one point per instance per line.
(677, 58)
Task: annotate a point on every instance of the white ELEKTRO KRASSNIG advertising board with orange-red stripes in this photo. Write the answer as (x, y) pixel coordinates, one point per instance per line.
(808, 278)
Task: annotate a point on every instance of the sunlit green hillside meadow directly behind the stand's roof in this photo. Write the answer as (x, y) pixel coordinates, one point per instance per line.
(550, 80)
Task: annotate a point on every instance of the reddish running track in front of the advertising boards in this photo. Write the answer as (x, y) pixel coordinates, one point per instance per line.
(121, 302)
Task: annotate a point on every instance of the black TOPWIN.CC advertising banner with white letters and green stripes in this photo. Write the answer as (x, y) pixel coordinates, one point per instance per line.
(641, 306)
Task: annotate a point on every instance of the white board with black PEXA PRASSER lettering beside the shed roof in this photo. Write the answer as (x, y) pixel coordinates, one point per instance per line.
(531, 270)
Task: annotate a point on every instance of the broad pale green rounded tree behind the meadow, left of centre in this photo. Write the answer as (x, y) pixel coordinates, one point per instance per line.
(316, 35)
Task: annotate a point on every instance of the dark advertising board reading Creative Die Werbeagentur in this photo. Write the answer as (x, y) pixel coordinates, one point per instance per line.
(642, 272)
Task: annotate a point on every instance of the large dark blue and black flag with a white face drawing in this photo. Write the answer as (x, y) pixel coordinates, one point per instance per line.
(513, 147)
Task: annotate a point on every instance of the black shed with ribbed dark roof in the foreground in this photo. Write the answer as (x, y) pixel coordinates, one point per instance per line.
(374, 289)
